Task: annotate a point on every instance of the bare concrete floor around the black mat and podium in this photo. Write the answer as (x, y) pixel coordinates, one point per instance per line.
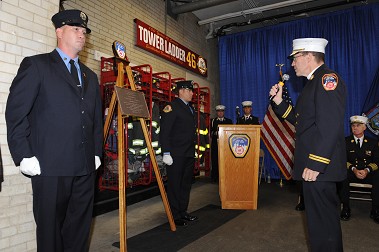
(275, 226)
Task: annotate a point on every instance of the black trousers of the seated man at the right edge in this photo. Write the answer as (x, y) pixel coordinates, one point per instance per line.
(371, 178)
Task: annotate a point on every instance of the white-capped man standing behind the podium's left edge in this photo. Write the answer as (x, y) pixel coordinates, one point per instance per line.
(220, 119)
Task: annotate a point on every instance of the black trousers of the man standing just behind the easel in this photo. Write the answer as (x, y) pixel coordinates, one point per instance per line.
(179, 184)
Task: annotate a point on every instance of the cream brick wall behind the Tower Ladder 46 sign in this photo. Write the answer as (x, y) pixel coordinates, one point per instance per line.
(26, 29)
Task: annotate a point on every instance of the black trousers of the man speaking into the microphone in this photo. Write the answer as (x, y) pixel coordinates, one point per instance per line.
(322, 213)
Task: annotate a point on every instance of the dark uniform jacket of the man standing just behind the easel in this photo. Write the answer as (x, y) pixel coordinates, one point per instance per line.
(178, 129)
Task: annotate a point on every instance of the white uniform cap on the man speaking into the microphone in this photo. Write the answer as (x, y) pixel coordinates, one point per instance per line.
(308, 45)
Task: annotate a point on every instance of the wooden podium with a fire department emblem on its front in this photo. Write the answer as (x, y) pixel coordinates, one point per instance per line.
(238, 153)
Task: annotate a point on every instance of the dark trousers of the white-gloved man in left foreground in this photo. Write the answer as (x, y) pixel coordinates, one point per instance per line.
(62, 208)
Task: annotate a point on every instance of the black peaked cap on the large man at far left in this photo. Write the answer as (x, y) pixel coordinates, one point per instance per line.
(72, 18)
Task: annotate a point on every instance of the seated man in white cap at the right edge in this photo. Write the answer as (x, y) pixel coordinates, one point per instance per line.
(362, 166)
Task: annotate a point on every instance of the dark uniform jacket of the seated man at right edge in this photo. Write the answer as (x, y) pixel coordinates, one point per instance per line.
(367, 156)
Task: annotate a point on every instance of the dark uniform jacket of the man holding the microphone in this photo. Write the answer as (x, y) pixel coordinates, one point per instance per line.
(319, 122)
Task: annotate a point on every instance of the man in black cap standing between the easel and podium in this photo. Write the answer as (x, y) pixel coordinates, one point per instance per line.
(178, 136)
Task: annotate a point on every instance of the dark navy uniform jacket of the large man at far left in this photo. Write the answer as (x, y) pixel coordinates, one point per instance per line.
(49, 117)
